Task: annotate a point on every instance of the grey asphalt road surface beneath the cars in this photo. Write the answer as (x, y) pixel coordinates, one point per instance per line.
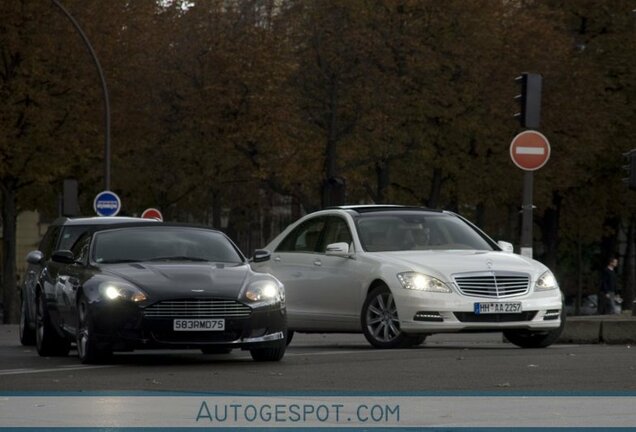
(346, 363)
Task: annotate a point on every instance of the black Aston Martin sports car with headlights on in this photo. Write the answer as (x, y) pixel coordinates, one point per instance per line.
(152, 286)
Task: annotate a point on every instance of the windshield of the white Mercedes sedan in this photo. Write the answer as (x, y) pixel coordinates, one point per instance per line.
(409, 230)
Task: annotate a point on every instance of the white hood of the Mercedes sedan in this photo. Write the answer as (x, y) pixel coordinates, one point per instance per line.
(449, 262)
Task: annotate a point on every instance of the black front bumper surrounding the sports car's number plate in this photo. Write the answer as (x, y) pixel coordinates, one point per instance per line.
(124, 326)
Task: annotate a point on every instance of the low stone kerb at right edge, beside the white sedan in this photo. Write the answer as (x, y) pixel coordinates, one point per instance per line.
(592, 329)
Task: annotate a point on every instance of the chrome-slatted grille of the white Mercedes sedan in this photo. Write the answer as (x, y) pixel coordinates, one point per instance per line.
(493, 284)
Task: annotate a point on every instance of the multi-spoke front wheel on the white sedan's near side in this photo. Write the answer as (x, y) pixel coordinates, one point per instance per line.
(380, 321)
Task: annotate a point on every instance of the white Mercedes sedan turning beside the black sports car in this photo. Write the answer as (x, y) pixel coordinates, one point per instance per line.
(398, 274)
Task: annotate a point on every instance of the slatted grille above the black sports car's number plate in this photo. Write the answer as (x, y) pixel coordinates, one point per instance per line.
(198, 308)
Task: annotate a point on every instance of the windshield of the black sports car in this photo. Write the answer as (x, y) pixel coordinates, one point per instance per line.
(163, 244)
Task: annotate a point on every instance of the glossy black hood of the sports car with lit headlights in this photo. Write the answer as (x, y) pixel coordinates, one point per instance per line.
(170, 280)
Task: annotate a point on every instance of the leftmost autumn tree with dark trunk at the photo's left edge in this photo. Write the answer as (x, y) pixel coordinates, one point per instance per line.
(41, 104)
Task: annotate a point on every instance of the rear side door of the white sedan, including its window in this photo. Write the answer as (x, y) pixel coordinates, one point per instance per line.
(293, 262)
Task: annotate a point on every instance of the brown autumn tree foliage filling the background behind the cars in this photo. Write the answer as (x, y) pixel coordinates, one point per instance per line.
(224, 112)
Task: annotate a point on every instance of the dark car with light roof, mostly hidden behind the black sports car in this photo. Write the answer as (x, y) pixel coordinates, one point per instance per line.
(61, 234)
